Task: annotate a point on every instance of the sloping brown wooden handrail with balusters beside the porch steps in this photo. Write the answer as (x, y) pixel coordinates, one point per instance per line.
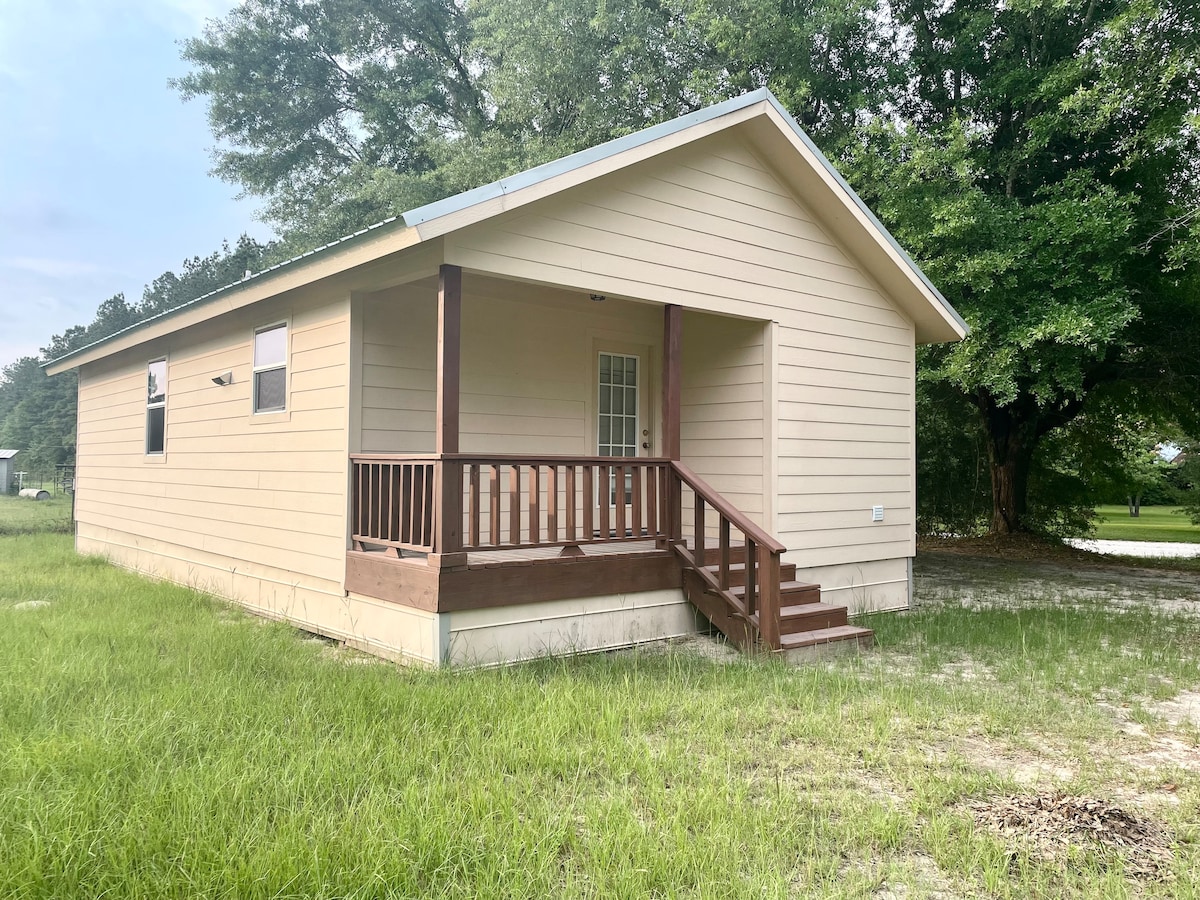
(764, 553)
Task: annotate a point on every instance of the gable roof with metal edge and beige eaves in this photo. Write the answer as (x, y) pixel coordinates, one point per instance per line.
(759, 112)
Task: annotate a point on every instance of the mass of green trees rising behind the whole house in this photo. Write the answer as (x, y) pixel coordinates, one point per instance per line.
(1041, 159)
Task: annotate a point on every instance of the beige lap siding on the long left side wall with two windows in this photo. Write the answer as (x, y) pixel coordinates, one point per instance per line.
(263, 495)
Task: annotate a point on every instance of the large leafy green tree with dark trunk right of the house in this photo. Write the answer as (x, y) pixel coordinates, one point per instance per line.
(1045, 172)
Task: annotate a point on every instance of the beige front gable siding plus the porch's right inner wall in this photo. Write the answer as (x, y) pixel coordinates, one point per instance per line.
(710, 227)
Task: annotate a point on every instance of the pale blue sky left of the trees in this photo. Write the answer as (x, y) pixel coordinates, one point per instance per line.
(104, 170)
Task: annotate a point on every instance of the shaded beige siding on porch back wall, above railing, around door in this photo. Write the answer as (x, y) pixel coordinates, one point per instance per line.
(527, 367)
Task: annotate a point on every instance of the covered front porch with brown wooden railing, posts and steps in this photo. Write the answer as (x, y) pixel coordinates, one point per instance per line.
(623, 542)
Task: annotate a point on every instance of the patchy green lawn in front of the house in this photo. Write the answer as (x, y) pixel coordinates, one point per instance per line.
(158, 743)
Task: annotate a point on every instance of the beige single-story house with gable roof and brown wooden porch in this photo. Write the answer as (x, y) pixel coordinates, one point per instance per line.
(562, 412)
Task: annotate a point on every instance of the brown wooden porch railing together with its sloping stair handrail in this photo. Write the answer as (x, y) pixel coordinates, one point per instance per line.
(463, 502)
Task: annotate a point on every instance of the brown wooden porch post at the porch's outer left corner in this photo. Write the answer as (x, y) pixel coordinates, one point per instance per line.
(448, 538)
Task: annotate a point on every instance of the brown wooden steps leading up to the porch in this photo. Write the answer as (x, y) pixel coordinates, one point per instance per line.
(808, 627)
